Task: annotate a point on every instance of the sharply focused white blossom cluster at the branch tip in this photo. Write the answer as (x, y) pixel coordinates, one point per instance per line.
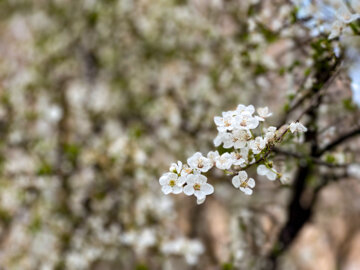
(244, 142)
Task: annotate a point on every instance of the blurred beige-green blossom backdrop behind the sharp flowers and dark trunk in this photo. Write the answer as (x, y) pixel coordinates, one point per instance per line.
(97, 98)
